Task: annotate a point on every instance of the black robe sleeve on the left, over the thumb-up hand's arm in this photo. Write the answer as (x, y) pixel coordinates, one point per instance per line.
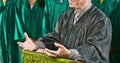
(54, 36)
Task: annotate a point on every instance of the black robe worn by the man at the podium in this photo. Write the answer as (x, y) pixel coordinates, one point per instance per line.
(90, 36)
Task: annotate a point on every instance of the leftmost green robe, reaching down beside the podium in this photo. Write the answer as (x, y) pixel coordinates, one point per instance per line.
(7, 24)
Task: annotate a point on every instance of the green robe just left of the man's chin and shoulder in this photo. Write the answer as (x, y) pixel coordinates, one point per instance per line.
(53, 9)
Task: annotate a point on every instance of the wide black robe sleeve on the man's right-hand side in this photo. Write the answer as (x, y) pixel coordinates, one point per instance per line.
(97, 45)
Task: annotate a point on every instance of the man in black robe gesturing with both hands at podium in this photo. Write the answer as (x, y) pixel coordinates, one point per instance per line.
(82, 33)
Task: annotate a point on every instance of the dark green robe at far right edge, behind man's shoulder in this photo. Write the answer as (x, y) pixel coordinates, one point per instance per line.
(115, 19)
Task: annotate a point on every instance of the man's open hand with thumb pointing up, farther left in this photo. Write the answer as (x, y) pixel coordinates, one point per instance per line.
(28, 44)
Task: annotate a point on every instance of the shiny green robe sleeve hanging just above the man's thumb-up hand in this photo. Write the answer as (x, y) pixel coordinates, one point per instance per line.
(19, 20)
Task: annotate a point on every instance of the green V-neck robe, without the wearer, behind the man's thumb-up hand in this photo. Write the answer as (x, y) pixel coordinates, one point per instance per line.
(28, 20)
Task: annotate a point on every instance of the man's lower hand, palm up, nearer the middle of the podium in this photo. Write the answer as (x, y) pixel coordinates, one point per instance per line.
(61, 52)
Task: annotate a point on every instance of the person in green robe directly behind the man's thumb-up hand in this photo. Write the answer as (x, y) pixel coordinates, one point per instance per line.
(28, 18)
